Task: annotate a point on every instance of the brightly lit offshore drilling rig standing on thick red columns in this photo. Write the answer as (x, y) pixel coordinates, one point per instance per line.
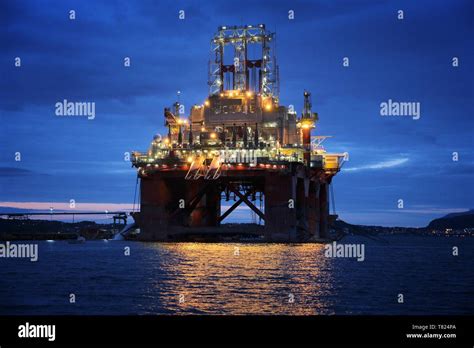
(241, 146)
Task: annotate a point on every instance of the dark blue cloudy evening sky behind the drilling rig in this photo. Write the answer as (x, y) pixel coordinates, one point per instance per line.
(391, 158)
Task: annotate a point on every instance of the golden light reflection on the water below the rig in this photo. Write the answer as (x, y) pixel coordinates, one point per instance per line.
(261, 278)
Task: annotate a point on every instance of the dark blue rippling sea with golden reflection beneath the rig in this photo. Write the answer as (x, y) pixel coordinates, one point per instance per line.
(399, 275)
